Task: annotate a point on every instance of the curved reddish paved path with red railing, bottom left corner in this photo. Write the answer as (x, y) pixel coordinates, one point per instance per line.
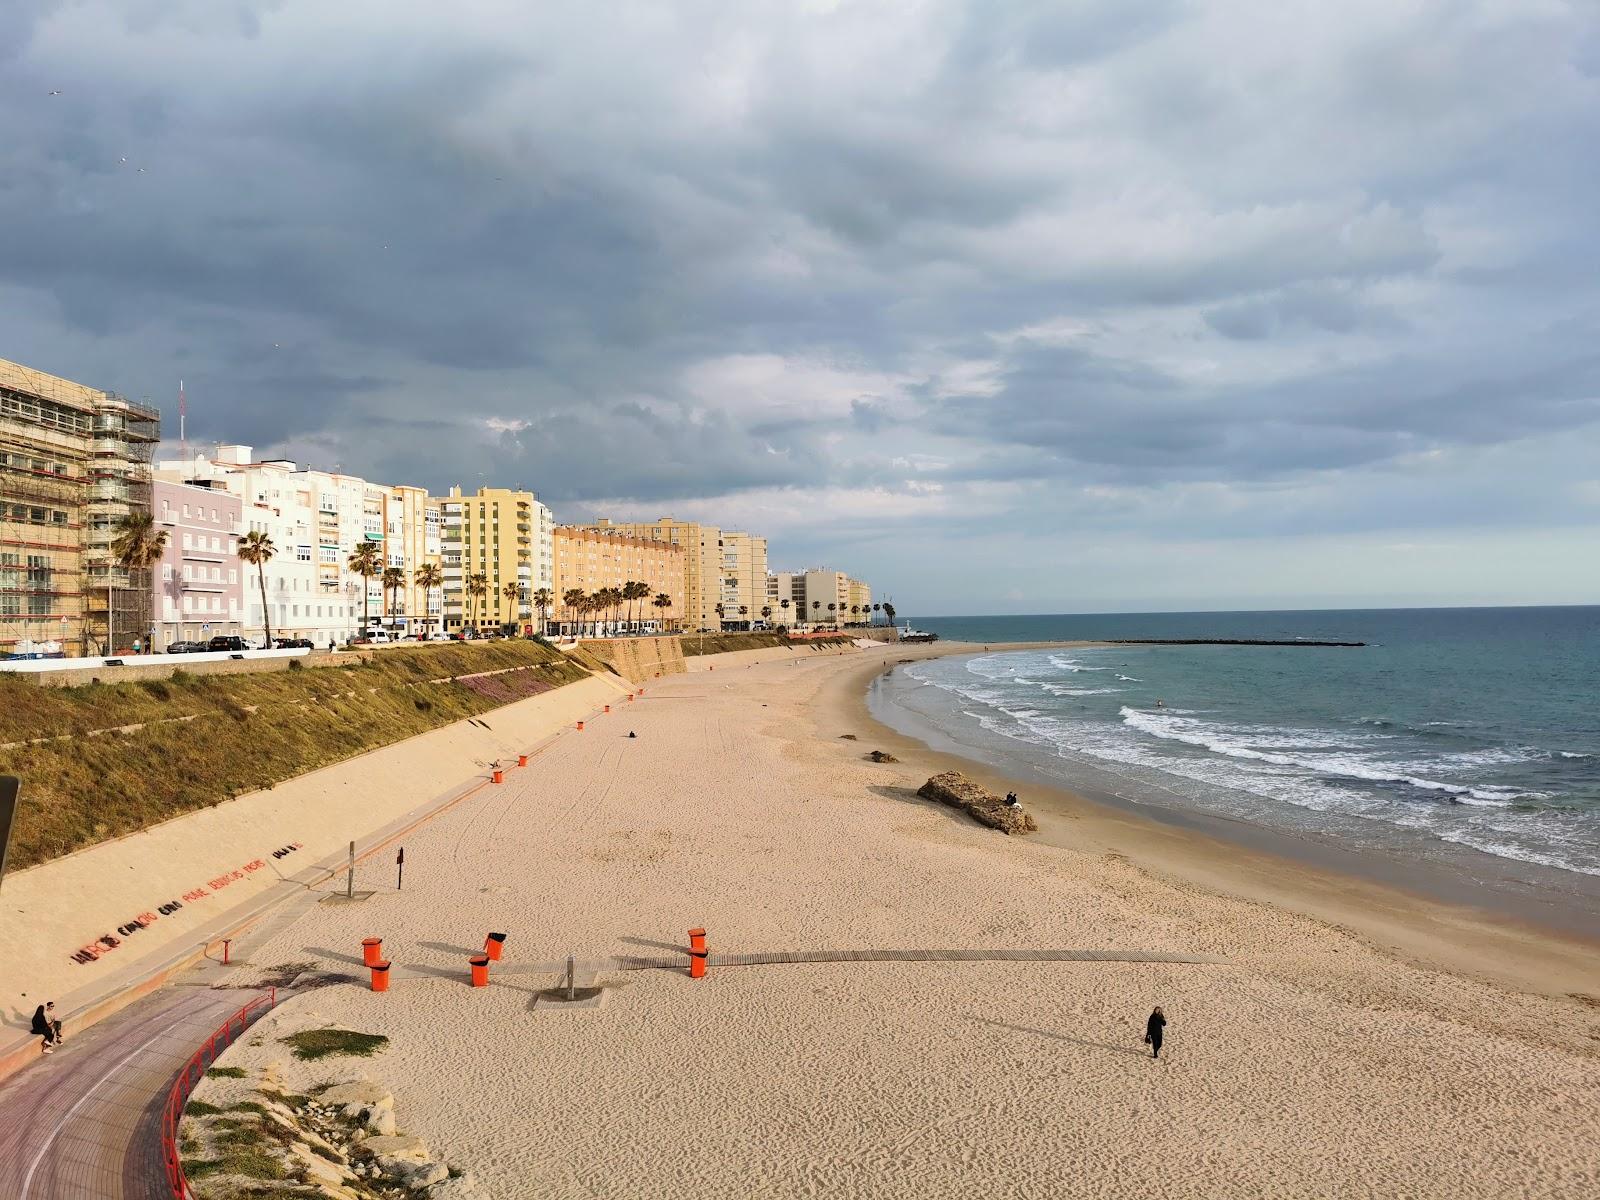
(86, 1124)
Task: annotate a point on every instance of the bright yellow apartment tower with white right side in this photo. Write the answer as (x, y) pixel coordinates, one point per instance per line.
(505, 537)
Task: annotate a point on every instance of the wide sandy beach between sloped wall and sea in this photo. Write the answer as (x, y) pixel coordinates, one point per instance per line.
(1354, 1042)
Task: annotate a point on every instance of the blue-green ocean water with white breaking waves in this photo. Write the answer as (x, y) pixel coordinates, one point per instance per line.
(1454, 735)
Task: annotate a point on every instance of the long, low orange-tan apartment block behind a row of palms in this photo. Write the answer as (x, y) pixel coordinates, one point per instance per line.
(591, 561)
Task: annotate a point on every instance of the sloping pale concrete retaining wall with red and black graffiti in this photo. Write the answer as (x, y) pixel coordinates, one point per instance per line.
(92, 927)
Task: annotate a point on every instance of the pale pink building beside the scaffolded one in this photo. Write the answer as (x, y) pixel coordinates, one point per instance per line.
(199, 585)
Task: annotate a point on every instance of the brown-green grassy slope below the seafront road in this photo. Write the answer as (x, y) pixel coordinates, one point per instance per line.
(249, 732)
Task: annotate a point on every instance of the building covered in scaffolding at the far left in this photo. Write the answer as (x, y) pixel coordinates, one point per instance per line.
(73, 463)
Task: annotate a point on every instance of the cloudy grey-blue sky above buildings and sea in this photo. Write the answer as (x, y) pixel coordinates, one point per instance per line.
(1062, 306)
